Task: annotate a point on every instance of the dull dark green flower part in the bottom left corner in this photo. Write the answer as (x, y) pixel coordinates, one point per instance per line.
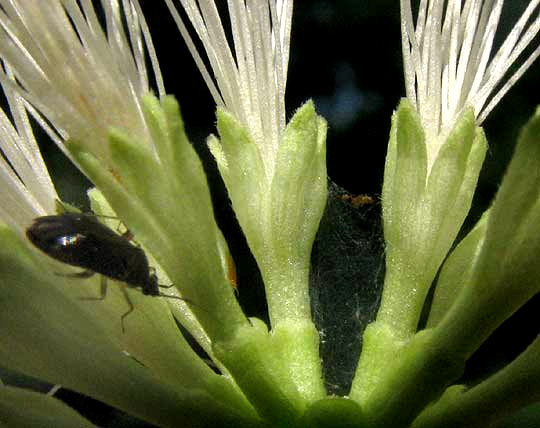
(28, 409)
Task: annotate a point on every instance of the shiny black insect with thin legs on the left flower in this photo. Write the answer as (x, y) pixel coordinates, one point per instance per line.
(81, 240)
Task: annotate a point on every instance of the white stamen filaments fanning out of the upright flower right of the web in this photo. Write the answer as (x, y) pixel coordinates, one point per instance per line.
(449, 58)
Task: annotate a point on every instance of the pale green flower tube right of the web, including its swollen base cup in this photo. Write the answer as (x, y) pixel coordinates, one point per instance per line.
(423, 209)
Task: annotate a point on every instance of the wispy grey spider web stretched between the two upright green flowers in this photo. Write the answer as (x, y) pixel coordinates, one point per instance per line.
(345, 281)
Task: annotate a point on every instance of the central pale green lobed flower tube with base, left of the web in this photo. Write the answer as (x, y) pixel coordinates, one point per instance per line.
(278, 203)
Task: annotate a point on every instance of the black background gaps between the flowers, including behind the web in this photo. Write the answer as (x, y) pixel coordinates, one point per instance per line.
(346, 56)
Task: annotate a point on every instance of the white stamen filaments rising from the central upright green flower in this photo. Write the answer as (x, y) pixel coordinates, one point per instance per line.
(249, 65)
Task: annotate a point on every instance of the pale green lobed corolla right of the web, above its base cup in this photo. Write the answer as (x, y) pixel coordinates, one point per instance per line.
(423, 209)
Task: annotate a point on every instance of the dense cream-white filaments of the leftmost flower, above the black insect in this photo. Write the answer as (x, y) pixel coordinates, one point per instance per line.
(82, 67)
